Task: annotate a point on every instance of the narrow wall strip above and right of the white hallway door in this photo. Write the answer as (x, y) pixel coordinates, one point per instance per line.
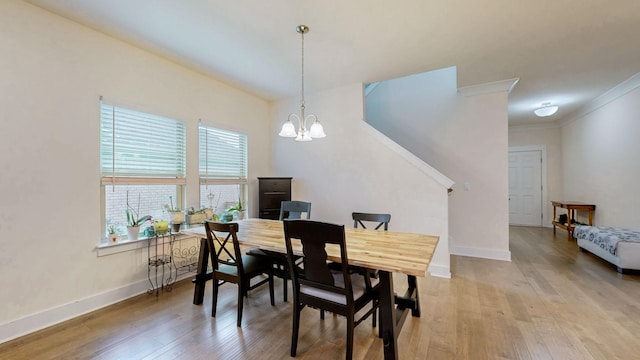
(550, 138)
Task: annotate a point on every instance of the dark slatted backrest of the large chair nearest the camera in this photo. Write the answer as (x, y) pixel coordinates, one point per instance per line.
(314, 271)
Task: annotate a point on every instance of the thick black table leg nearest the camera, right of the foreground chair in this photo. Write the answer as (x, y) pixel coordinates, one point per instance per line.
(388, 316)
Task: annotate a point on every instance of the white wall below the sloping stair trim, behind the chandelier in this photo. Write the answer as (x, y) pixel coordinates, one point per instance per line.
(352, 170)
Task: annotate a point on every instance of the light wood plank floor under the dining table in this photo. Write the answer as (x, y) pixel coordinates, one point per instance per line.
(550, 302)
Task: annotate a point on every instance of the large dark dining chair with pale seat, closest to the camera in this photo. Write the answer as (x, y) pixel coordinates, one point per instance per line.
(318, 286)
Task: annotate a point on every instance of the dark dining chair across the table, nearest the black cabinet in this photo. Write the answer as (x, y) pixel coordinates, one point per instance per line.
(288, 210)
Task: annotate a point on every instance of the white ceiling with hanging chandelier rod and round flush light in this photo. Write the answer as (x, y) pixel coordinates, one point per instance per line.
(564, 52)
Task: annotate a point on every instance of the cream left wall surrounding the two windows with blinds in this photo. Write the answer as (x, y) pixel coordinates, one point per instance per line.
(53, 72)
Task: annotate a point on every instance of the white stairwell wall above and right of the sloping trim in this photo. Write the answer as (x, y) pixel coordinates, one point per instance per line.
(463, 137)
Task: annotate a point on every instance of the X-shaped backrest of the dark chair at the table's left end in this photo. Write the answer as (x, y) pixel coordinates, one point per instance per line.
(224, 248)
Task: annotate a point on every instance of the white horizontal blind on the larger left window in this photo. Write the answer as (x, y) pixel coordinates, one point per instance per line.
(136, 145)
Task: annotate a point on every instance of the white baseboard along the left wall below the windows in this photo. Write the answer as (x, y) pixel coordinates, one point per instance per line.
(38, 321)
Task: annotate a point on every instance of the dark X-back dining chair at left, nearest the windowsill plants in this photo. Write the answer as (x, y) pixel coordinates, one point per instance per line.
(231, 266)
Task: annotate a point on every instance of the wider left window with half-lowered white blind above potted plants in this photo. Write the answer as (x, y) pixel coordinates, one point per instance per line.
(142, 158)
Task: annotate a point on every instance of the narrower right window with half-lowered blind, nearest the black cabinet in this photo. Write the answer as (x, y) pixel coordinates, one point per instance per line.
(222, 168)
